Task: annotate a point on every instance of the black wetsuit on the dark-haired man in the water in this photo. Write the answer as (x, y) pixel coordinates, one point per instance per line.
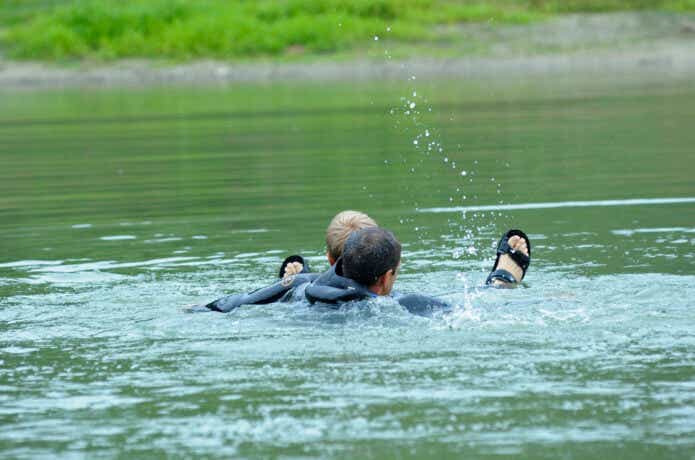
(327, 288)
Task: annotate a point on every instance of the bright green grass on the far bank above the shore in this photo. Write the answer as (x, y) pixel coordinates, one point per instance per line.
(224, 29)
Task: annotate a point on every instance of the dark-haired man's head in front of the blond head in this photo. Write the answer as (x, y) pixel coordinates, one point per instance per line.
(371, 257)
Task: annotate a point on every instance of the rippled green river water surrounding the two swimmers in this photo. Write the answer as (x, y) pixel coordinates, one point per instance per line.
(118, 207)
